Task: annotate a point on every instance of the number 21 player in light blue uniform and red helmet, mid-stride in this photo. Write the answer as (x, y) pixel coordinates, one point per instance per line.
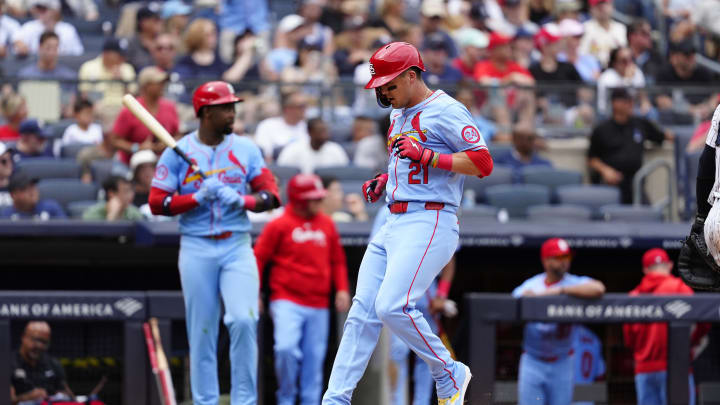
(432, 140)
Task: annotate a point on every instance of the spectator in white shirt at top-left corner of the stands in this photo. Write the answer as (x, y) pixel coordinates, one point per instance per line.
(47, 18)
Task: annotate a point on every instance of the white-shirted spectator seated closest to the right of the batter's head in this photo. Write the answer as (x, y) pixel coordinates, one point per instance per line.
(272, 134)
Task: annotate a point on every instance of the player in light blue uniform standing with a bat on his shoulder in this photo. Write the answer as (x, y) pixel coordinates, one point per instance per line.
(216, 259)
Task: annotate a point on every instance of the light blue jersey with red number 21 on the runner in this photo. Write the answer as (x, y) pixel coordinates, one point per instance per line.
(442, 124)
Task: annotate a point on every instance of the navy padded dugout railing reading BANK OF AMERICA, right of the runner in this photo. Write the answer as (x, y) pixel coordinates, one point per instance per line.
(486, 310)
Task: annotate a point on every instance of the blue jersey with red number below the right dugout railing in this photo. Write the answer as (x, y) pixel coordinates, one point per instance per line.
(589, 363)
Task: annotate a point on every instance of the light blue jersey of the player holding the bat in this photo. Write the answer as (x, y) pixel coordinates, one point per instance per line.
(235, 161)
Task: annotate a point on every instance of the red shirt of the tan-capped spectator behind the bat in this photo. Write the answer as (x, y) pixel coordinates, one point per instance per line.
(128, 127)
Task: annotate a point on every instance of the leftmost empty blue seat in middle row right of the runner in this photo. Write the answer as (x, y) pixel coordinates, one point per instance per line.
(516, 198)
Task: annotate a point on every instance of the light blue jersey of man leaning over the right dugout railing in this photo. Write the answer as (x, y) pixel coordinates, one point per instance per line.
(548, 339)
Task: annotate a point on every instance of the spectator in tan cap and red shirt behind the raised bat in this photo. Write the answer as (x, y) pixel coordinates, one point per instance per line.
(129, 134)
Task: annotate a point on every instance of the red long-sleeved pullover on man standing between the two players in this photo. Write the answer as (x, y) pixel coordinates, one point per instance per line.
(306, 258)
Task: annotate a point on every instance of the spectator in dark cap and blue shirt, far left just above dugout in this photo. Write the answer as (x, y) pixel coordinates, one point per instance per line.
(26, 202)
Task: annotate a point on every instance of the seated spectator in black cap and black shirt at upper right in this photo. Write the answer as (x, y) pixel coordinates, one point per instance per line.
(683, 70)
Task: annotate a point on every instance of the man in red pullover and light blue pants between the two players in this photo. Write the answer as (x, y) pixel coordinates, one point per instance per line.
(306, 259)
